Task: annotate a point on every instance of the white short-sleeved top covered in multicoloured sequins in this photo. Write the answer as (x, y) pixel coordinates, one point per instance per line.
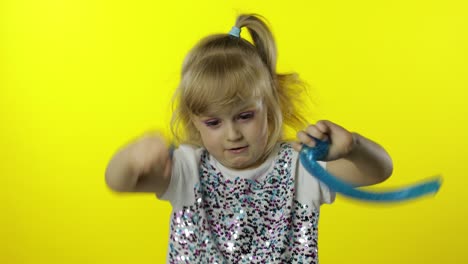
(259, 219)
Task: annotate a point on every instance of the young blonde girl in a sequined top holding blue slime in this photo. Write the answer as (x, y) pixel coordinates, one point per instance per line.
(237, 190)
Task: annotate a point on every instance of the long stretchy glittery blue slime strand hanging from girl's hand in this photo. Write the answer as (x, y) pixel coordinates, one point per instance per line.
(309, 157)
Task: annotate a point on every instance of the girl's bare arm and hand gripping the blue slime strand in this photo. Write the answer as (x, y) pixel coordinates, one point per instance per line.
(351, 157)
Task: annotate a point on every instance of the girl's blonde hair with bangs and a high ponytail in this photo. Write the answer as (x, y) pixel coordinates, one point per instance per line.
(223, 70)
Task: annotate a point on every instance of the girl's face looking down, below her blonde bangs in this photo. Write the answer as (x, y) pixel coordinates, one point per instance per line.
(237, 137)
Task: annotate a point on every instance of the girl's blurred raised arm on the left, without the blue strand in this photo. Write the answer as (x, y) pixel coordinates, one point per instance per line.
(142, 166)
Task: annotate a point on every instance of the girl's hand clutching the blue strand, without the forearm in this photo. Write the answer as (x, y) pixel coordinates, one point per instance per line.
(342, 141)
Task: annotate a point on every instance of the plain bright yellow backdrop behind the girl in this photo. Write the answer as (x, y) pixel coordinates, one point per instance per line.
(81, 78)
